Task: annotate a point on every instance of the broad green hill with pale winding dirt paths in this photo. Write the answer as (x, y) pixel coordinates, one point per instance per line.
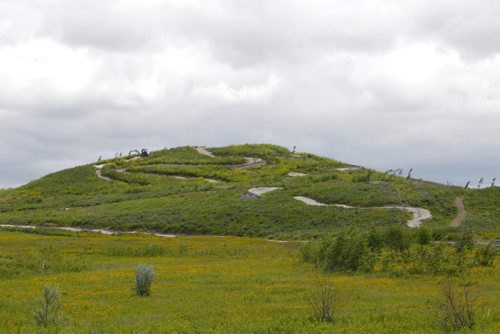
(188, 190)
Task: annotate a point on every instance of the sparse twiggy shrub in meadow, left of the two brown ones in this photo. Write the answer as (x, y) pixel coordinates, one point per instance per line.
(325, 299)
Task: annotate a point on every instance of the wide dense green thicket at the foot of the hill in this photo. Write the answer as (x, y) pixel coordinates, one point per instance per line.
(374, 251)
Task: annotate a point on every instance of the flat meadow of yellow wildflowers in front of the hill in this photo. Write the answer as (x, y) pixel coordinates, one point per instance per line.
(208, 285)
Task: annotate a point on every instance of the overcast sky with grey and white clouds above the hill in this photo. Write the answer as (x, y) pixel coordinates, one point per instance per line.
(384, 84)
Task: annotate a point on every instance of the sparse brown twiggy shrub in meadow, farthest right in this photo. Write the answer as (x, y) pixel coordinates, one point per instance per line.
(459, 304)
